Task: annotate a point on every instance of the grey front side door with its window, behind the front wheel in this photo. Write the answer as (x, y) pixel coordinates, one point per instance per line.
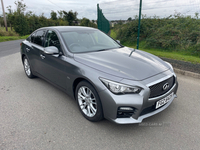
(53, 67)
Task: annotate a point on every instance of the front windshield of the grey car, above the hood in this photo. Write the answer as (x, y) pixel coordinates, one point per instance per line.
(88, 41)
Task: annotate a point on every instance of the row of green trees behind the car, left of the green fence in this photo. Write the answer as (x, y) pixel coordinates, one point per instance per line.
(26, 22)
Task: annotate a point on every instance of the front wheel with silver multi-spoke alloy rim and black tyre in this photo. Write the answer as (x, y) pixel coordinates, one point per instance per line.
(88, 102)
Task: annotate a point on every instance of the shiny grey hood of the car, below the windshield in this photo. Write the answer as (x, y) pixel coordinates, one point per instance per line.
(118, 62)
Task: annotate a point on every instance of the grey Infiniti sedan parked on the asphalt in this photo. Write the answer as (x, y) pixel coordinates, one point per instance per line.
(108, 80)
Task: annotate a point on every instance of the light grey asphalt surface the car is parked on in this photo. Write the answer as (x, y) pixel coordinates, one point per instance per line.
(36, 115)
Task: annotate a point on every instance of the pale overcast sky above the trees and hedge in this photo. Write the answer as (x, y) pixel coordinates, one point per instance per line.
(112, 9)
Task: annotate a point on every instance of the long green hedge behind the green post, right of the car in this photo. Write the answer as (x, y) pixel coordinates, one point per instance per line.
(177, 33)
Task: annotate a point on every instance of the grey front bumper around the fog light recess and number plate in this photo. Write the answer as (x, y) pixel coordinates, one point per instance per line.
(144, 107)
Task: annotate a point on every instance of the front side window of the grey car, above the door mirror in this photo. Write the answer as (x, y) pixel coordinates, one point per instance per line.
(52, 40)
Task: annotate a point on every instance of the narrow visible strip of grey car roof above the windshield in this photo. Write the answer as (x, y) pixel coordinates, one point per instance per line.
(69, 28)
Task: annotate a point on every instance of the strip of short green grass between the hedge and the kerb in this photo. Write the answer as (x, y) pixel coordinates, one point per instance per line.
(160, 53)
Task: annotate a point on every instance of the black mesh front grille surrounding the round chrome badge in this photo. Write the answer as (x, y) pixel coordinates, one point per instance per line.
(157, 89)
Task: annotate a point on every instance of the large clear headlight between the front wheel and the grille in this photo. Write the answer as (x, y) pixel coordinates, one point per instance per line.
(118, 88)
